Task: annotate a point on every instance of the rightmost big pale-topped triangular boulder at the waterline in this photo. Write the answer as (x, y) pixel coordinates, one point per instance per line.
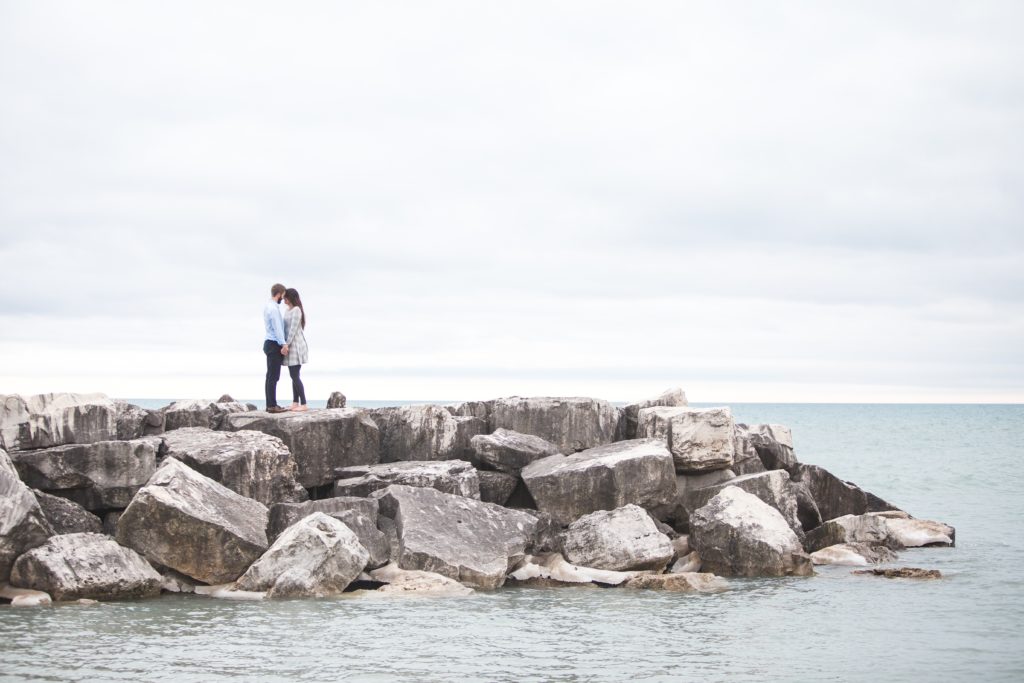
(739, 535)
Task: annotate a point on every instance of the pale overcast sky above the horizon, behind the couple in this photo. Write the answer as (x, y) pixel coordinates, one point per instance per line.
(776, 202)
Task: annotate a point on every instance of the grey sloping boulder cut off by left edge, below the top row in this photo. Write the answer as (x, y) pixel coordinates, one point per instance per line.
(23, 525)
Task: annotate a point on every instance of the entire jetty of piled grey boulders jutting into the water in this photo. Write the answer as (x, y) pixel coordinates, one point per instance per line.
(102, 500)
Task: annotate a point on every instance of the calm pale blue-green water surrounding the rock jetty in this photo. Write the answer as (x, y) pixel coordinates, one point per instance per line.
(960, 464)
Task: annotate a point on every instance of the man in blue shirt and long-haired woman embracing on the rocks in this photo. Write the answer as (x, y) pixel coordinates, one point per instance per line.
(285, 344)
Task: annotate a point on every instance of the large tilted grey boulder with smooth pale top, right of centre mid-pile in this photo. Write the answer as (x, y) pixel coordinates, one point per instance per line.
(639, 472)
